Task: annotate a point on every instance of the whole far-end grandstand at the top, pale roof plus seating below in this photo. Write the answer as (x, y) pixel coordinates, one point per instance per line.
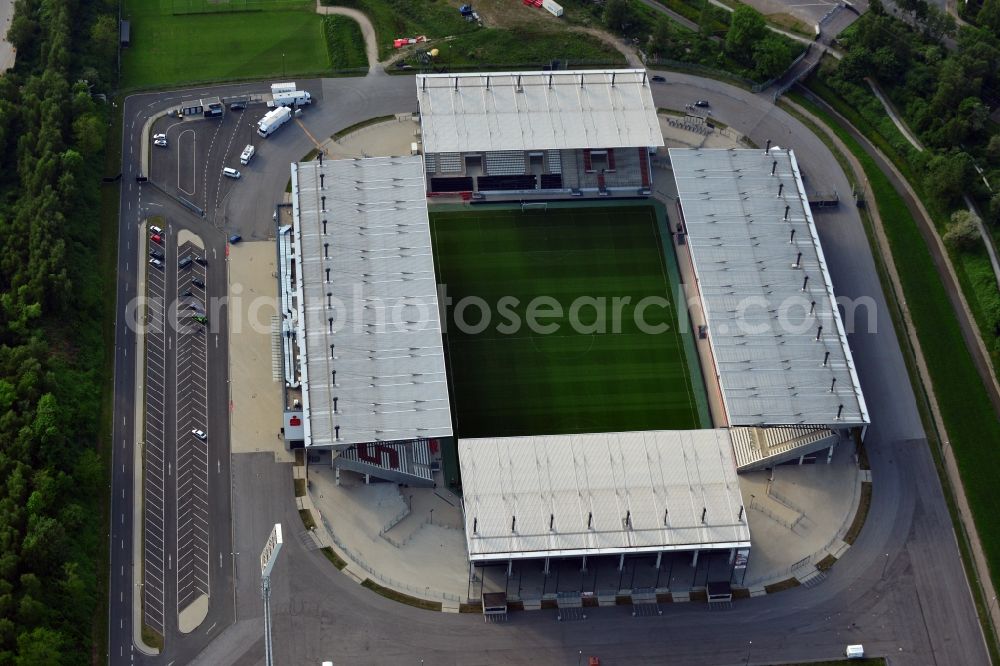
(572, 133)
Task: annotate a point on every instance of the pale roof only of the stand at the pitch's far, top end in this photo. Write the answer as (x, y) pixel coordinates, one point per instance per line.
(537, 111)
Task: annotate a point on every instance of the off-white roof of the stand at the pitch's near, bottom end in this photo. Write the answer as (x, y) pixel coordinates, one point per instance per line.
(600, 494)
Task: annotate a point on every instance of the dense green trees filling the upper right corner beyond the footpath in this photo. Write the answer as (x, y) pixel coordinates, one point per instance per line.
(946, 83)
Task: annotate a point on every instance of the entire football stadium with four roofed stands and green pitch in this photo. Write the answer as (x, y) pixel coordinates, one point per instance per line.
(514, 311)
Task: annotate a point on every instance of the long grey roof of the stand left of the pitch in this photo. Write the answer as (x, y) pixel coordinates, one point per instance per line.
(376, 371)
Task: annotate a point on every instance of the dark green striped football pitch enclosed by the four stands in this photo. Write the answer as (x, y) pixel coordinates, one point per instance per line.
(509, 380)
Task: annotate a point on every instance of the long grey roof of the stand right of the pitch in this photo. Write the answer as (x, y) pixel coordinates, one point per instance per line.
(759, 276)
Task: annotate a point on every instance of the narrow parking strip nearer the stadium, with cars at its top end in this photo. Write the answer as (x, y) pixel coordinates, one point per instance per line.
(192, 426)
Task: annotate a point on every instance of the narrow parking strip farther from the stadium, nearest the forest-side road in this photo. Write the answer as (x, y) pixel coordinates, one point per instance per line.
(154, 467)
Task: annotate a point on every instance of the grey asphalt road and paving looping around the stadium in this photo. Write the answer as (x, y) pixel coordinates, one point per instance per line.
(900, 590)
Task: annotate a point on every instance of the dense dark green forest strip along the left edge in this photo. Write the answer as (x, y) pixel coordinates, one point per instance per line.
(52, 476)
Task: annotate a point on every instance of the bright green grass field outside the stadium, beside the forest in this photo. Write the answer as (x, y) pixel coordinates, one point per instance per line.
(286, 39)
